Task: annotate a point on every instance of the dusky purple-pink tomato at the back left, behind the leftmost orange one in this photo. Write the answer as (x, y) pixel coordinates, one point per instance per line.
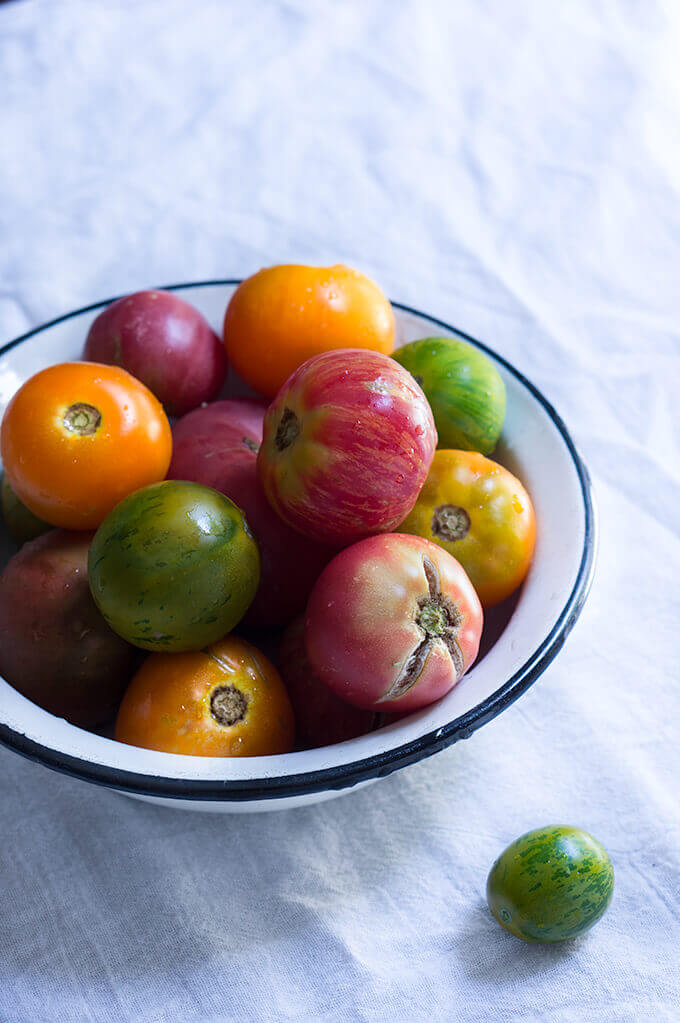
(166, 343)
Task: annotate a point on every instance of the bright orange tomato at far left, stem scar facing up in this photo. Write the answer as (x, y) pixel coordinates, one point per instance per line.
(78, 438)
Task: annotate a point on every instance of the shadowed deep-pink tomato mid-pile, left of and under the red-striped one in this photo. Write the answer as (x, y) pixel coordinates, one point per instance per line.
(218, 447)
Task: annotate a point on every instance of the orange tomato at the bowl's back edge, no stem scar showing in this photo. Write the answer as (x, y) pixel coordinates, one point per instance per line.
(284, 316)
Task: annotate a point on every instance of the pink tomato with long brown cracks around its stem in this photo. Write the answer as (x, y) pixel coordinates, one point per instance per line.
(393, 624)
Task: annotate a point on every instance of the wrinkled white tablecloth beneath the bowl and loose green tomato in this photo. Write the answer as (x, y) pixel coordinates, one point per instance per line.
(516, 170)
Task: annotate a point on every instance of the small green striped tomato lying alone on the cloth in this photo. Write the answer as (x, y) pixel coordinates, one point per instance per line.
(551, 885)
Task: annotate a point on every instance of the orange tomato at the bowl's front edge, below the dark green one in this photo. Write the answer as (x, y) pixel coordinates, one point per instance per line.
(225, 701)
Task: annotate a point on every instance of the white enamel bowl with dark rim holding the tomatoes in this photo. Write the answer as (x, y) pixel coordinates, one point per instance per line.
(528, 633)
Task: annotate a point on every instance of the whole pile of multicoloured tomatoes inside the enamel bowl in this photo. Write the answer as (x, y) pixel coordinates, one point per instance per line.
(346, 518)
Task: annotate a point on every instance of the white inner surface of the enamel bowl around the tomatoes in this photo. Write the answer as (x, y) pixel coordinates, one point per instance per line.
(532, 447)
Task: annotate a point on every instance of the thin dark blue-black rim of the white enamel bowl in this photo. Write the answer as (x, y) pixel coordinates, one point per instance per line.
(345, 776)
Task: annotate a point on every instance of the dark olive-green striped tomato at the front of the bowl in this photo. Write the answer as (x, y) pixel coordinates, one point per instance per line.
(174, 567)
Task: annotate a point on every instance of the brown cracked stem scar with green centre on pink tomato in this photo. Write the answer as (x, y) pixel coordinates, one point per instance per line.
(439, 620)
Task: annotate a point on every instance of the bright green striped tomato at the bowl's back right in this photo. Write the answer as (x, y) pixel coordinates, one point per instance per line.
(465, 390)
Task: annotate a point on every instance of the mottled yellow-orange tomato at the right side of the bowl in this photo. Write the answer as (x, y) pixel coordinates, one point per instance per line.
(482, 515)
